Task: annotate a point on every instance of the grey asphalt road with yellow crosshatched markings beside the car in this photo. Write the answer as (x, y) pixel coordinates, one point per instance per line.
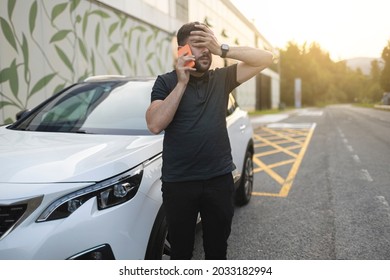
(322, 188)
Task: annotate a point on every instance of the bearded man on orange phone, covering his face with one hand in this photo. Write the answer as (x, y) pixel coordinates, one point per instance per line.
(190, 105)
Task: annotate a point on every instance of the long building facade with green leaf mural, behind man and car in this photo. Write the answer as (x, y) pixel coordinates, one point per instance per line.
(46, 45)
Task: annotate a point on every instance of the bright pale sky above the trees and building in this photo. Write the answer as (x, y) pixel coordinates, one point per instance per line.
(344, 28)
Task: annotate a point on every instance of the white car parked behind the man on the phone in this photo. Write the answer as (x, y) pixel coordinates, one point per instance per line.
(80, 174)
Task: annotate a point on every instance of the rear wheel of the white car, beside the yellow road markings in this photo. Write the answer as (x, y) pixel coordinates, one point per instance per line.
(244, 191)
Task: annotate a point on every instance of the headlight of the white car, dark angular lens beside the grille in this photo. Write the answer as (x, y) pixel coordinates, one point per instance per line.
(110, 192)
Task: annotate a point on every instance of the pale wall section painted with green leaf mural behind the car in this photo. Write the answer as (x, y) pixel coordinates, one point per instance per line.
(67, 41)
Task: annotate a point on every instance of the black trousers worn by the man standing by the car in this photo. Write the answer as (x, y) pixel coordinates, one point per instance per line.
(213, 199)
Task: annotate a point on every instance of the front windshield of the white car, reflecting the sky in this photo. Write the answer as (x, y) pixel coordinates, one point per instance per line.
(94, 107)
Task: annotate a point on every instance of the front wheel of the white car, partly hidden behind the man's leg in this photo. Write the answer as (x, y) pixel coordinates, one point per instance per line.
(159, 247)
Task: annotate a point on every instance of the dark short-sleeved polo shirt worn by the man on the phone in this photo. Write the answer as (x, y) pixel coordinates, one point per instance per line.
(196, 143)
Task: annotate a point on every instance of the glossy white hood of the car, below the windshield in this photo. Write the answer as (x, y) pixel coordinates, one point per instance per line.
(41, 157)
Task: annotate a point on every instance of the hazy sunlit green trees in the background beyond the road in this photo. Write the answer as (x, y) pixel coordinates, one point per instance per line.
(323, 80)
